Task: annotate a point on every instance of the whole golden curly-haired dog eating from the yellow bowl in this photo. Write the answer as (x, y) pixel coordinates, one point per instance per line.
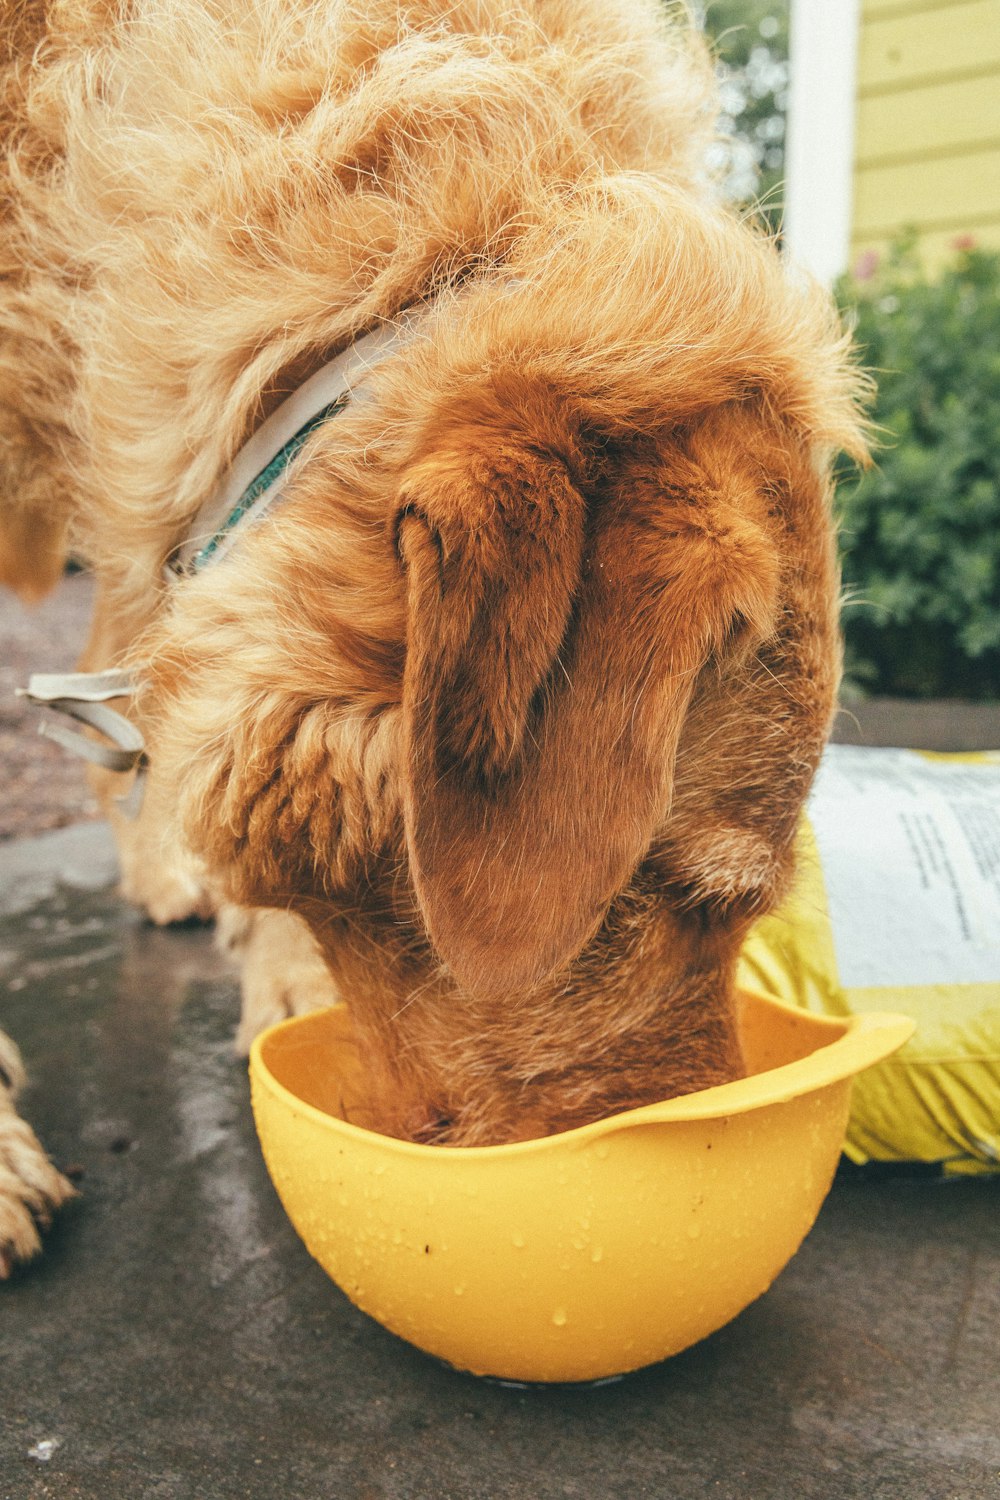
(516, 695)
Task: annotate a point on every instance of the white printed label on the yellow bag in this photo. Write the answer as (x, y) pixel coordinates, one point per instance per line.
(911, 854)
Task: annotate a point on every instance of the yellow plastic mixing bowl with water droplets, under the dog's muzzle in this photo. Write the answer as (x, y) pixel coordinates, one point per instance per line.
(576, 1256)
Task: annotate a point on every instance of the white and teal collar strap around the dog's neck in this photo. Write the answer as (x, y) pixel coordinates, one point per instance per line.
(257, 476)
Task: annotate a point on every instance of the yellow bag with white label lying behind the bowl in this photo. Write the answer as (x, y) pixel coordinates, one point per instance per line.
(897, 908)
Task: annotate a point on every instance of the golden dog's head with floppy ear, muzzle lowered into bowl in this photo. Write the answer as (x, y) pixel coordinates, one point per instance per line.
(521, 692)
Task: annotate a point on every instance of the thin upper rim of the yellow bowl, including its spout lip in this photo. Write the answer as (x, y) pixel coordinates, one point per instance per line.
(857, 1043)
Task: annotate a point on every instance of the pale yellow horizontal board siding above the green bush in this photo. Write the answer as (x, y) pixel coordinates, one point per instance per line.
(929, 124)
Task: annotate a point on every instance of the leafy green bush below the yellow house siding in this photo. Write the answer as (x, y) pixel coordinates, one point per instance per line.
(921, 532)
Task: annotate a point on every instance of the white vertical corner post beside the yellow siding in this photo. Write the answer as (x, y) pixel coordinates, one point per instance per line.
(821, 134)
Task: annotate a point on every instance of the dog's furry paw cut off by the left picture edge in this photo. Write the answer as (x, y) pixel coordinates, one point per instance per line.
(31, 1187)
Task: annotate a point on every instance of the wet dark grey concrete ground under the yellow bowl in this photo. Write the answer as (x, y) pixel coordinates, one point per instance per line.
(176, 1340)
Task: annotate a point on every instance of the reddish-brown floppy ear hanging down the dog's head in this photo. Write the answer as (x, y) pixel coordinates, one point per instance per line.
(552, 652)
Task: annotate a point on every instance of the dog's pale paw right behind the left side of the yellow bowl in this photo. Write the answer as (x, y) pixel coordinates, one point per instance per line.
(283, 970)
